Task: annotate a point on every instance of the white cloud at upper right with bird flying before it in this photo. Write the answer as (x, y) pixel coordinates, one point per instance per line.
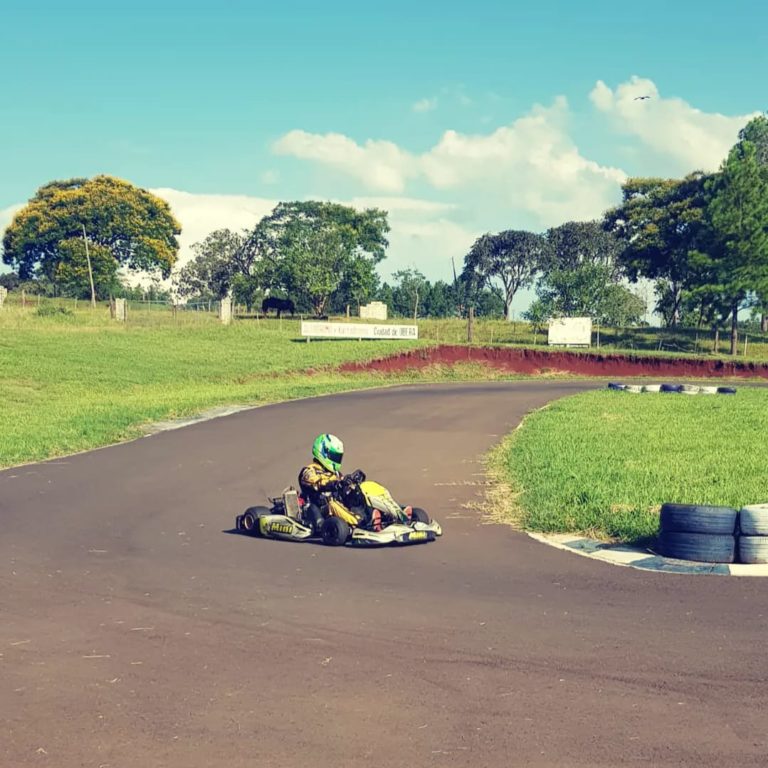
(692, 139)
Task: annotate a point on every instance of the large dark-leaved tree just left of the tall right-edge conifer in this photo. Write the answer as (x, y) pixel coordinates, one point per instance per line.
(660, 223)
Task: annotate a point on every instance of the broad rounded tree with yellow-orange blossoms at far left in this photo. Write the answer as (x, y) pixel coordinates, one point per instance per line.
(136, 228)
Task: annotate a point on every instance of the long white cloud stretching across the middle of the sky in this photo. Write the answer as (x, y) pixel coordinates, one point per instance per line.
(530, 166)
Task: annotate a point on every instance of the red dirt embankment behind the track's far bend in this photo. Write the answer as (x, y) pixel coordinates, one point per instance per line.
(534, 361)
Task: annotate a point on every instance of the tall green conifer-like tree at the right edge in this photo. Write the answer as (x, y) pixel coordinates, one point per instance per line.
(738, 219)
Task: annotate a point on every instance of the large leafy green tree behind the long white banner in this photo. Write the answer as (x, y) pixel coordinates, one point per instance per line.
(313, 251)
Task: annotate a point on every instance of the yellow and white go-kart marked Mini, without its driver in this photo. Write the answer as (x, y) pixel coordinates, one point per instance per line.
(369, 517)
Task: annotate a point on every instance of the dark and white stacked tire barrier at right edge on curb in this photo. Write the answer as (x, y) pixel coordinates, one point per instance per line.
(709, 534)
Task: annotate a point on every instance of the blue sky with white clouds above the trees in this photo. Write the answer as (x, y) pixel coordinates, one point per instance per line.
(458, 118)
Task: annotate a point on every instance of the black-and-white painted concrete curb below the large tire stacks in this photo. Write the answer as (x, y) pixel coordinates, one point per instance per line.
(643, 559)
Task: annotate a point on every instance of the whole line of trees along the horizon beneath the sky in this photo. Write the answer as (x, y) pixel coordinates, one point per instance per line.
(701, 242)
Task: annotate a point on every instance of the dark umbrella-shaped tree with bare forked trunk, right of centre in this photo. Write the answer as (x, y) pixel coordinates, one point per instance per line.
(505, 262)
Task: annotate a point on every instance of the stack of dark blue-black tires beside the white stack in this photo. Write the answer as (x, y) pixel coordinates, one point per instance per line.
(701, 533)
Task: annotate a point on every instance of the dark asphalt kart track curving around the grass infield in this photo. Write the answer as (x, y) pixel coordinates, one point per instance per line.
(136, 631)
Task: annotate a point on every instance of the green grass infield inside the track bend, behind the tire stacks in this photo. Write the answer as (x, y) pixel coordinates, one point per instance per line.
(603, 462)
